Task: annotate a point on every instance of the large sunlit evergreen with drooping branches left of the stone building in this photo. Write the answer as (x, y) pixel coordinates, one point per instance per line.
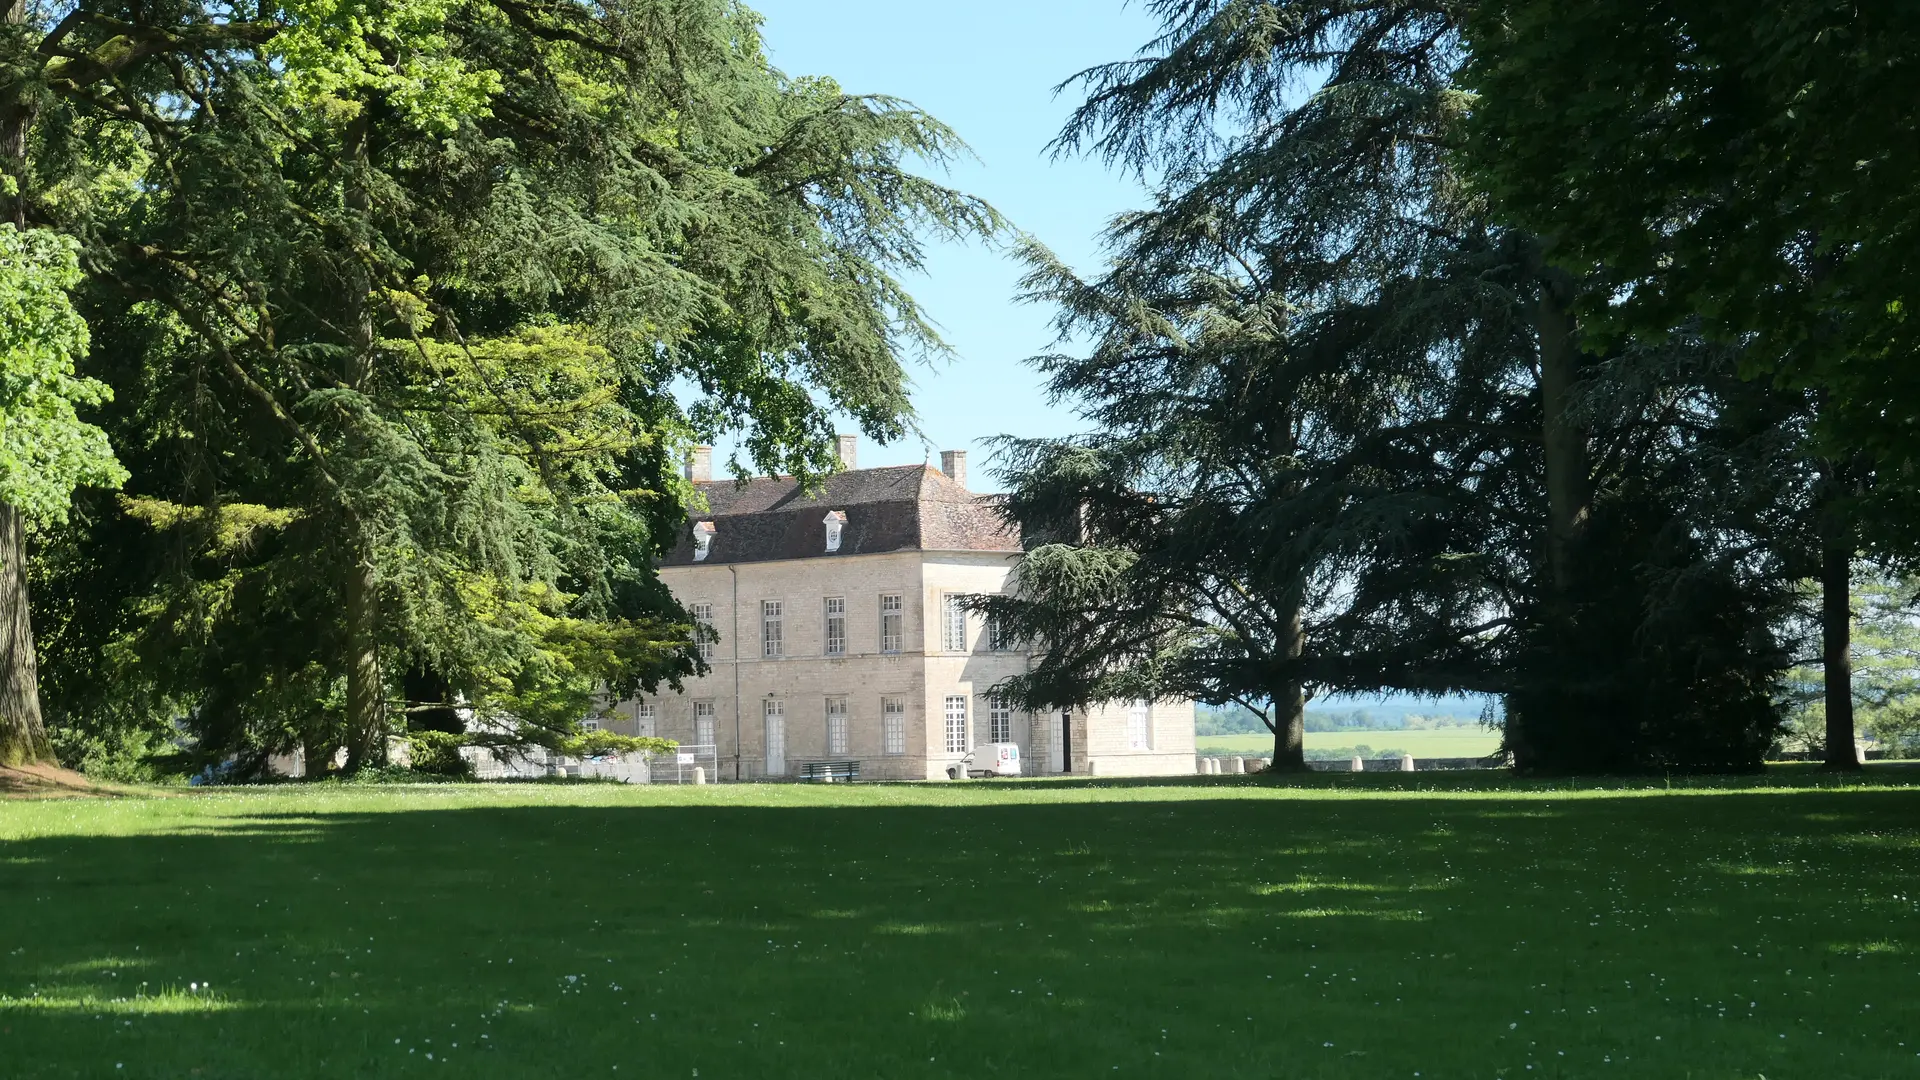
(395, 307)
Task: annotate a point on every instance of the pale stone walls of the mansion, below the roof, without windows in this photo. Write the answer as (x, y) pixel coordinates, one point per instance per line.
(923, 674)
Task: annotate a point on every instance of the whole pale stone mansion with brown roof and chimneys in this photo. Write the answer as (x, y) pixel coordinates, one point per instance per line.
(840, 637)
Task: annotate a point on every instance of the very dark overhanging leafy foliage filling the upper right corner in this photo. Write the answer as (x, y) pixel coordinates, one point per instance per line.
(1750, 170)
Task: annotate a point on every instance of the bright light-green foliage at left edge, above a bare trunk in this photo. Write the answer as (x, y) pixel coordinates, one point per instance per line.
(47, 451)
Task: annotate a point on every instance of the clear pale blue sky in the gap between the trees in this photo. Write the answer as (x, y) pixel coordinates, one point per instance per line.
(988, 70)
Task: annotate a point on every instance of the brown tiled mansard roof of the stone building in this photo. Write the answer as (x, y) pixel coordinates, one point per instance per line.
(901, 508)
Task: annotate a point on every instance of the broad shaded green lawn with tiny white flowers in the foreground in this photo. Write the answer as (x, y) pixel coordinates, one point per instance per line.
(1337, 925)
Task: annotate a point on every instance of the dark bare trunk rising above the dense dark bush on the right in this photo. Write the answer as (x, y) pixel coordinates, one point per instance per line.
(1570, 479)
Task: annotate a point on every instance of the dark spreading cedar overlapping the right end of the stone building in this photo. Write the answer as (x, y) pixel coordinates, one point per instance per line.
(1347, 435)
